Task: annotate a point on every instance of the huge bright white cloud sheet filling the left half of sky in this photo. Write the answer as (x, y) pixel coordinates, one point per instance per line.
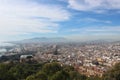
(25, 16)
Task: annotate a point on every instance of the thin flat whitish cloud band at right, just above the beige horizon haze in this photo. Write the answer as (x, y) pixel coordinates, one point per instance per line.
(100, 30)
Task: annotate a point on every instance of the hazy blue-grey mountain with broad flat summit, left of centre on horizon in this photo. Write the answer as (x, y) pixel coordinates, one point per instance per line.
(42, 39)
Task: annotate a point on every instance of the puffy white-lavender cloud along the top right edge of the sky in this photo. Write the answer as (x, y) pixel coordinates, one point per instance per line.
(94, 5)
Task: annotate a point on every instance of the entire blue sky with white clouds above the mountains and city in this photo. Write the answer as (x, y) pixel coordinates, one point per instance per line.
(74, 19)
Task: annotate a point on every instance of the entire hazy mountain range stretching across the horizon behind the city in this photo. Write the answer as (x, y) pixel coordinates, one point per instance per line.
(58, 39)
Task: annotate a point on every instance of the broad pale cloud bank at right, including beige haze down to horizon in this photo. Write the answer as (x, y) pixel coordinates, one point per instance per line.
(95, 33)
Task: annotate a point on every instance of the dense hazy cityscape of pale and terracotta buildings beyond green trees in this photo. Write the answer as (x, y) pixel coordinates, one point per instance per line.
(91, 59)
